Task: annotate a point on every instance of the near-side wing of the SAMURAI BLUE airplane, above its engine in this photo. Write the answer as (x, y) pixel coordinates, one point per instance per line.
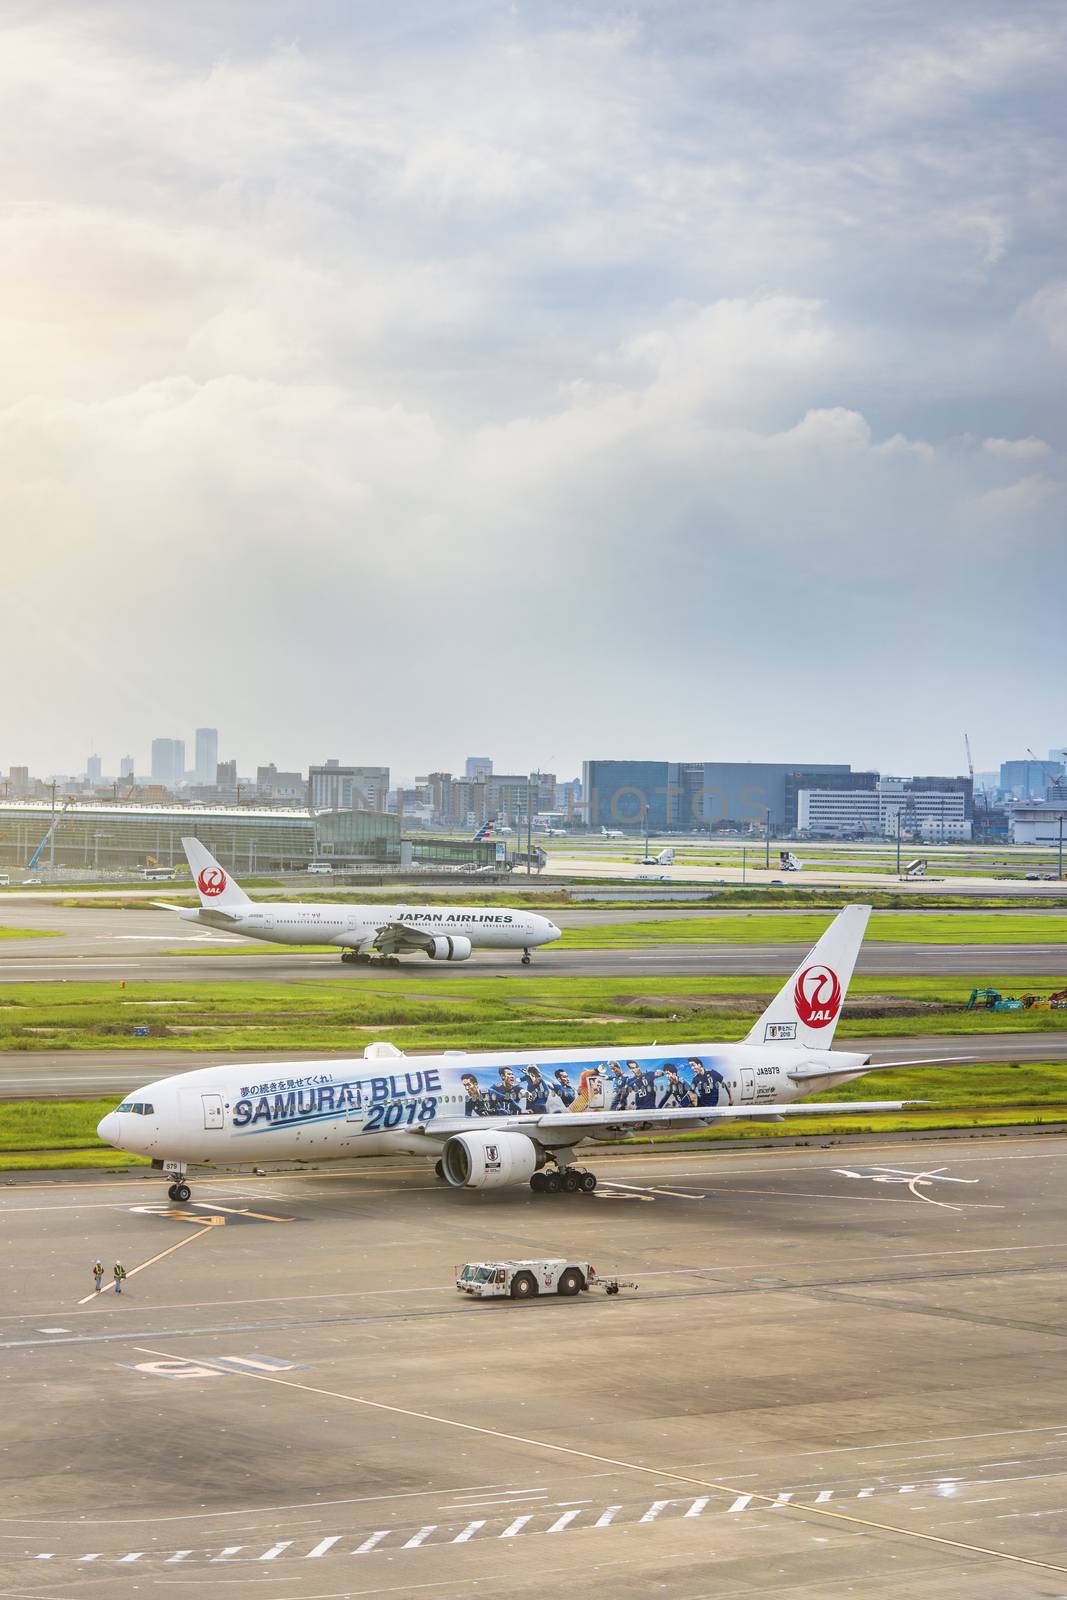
(591, 1122)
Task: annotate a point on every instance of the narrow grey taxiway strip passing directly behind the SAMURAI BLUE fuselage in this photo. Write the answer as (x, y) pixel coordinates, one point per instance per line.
(70, 1074)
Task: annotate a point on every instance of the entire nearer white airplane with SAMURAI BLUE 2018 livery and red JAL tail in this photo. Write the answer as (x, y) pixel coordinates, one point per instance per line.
(506, 1118)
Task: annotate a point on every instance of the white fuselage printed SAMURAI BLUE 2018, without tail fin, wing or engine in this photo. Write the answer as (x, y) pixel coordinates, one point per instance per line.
(390, 1103)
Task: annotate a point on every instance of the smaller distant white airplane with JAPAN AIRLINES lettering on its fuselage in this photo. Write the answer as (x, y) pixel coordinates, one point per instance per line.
(446, 934)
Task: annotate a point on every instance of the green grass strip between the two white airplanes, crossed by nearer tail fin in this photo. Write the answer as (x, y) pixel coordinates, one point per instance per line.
(474, 1014)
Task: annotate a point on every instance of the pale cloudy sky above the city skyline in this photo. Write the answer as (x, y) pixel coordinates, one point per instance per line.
(398, 382)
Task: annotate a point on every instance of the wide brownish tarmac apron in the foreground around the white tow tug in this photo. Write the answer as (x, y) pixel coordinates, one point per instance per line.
(839, 1377)
